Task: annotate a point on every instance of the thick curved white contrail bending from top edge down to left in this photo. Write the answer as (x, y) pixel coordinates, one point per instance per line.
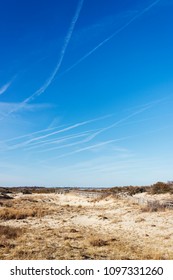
(42, 89)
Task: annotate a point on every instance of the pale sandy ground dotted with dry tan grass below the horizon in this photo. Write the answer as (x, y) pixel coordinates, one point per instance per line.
(84, 226)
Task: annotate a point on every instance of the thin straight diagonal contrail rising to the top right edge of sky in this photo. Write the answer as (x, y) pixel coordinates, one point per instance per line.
(111, 36)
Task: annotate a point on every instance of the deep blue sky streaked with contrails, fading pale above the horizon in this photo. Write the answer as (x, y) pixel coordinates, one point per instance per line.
(86, 92)
